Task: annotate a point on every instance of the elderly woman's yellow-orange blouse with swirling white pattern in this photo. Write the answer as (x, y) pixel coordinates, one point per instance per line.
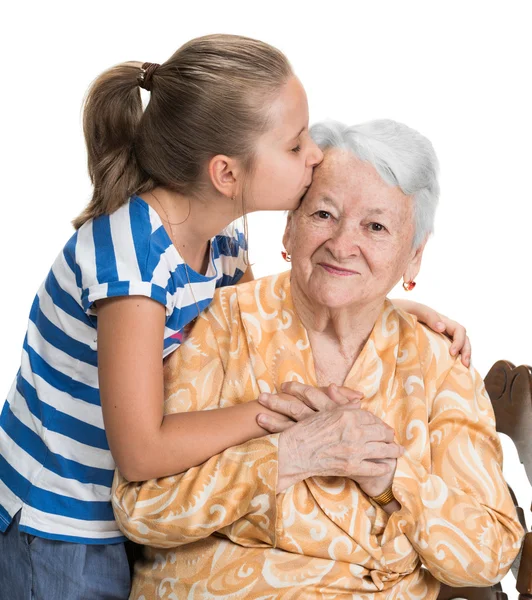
(220, 531)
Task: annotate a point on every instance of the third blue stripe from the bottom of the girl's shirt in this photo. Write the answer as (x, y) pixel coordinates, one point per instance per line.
(58, 421)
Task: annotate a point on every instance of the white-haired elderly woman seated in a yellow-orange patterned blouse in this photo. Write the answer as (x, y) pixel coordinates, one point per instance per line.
(382, 498)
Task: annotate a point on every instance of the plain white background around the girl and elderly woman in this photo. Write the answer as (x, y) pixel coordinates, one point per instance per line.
(459, 72)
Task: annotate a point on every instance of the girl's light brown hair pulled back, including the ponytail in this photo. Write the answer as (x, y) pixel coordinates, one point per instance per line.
(211, 97)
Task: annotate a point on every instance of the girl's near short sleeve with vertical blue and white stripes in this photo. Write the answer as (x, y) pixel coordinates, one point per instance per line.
(123, 255)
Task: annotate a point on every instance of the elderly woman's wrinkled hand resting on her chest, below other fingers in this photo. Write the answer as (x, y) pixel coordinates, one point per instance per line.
(345, 441)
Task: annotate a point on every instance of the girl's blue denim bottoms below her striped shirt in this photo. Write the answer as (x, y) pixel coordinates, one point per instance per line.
(34, 568)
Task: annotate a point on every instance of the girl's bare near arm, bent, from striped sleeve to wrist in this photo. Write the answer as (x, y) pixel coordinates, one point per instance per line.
(144, 443)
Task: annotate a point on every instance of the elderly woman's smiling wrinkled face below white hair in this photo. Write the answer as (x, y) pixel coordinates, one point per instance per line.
(351, 238)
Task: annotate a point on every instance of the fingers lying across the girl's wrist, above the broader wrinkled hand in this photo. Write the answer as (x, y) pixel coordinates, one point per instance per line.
(298, 401)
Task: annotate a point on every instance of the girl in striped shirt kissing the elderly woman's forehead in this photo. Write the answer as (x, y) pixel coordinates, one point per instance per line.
(225, 133)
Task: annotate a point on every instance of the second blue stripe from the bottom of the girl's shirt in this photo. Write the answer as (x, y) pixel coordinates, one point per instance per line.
(31, 443)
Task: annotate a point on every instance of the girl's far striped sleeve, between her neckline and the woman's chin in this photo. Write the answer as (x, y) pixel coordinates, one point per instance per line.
(231, 248)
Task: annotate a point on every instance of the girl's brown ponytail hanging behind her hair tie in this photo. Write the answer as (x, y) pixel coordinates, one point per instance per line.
(111, 115)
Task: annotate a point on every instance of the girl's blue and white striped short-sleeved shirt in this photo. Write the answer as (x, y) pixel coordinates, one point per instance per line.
(55, 462)
